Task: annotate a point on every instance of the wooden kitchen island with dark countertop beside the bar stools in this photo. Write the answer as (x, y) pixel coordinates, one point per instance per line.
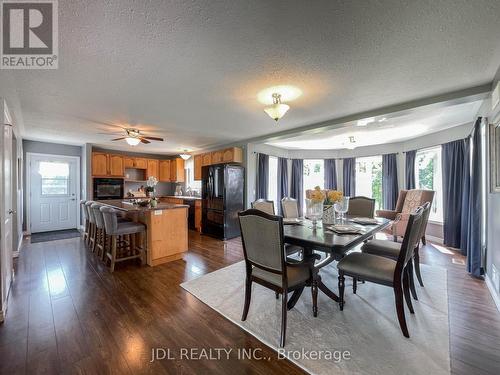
(167, 228)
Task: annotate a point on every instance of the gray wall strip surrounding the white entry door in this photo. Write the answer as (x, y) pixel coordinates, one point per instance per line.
(54, 149)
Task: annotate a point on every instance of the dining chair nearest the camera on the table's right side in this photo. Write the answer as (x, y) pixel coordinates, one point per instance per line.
(385, 271)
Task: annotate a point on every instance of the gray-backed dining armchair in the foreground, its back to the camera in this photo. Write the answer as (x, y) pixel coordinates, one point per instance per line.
(267, 265)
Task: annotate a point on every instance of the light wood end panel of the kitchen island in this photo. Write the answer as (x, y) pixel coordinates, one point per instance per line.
(167, 235)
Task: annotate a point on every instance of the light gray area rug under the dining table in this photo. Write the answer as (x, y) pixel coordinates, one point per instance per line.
(367, 329)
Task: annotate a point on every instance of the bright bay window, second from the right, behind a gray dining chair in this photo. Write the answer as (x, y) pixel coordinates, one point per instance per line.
(369, 178)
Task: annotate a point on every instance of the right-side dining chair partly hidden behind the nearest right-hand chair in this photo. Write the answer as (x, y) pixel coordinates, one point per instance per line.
(391, 249)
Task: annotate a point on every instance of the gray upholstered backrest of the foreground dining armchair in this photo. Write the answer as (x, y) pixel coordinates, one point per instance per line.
(262, 237)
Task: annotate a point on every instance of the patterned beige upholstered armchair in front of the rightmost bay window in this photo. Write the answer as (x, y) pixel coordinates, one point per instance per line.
(408, 201)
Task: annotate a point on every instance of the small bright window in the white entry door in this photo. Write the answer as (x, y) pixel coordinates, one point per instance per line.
(55, 178)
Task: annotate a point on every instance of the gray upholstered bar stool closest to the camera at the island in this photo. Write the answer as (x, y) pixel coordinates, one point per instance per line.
(120, 251)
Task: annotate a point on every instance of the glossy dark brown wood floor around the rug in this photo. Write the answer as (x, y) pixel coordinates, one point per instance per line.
(68, 314)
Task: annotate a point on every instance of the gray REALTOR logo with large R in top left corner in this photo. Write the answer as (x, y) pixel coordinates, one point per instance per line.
(29, 34)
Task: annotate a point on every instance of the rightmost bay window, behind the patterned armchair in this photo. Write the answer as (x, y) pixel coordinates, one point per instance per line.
(429, 177)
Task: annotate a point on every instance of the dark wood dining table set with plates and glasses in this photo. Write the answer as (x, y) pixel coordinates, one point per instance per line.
(334, 245)
